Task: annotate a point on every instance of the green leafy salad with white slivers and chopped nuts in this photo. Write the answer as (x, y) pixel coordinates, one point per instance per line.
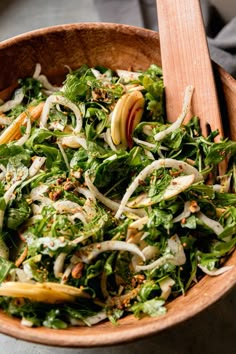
(106, 209)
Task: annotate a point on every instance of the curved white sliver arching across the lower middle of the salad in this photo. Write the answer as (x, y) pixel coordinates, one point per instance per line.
(88, 253)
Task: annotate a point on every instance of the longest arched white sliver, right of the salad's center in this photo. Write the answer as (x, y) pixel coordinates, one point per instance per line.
(155, 165)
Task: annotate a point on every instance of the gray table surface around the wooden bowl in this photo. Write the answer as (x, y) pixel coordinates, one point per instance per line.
(211, 332)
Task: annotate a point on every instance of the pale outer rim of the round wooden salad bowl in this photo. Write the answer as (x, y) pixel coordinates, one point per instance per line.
(130, 329)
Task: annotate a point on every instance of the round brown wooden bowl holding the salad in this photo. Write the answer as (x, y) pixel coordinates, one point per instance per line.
(114, 46)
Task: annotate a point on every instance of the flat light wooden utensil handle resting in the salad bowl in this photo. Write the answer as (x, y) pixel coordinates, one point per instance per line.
(186, 61)
